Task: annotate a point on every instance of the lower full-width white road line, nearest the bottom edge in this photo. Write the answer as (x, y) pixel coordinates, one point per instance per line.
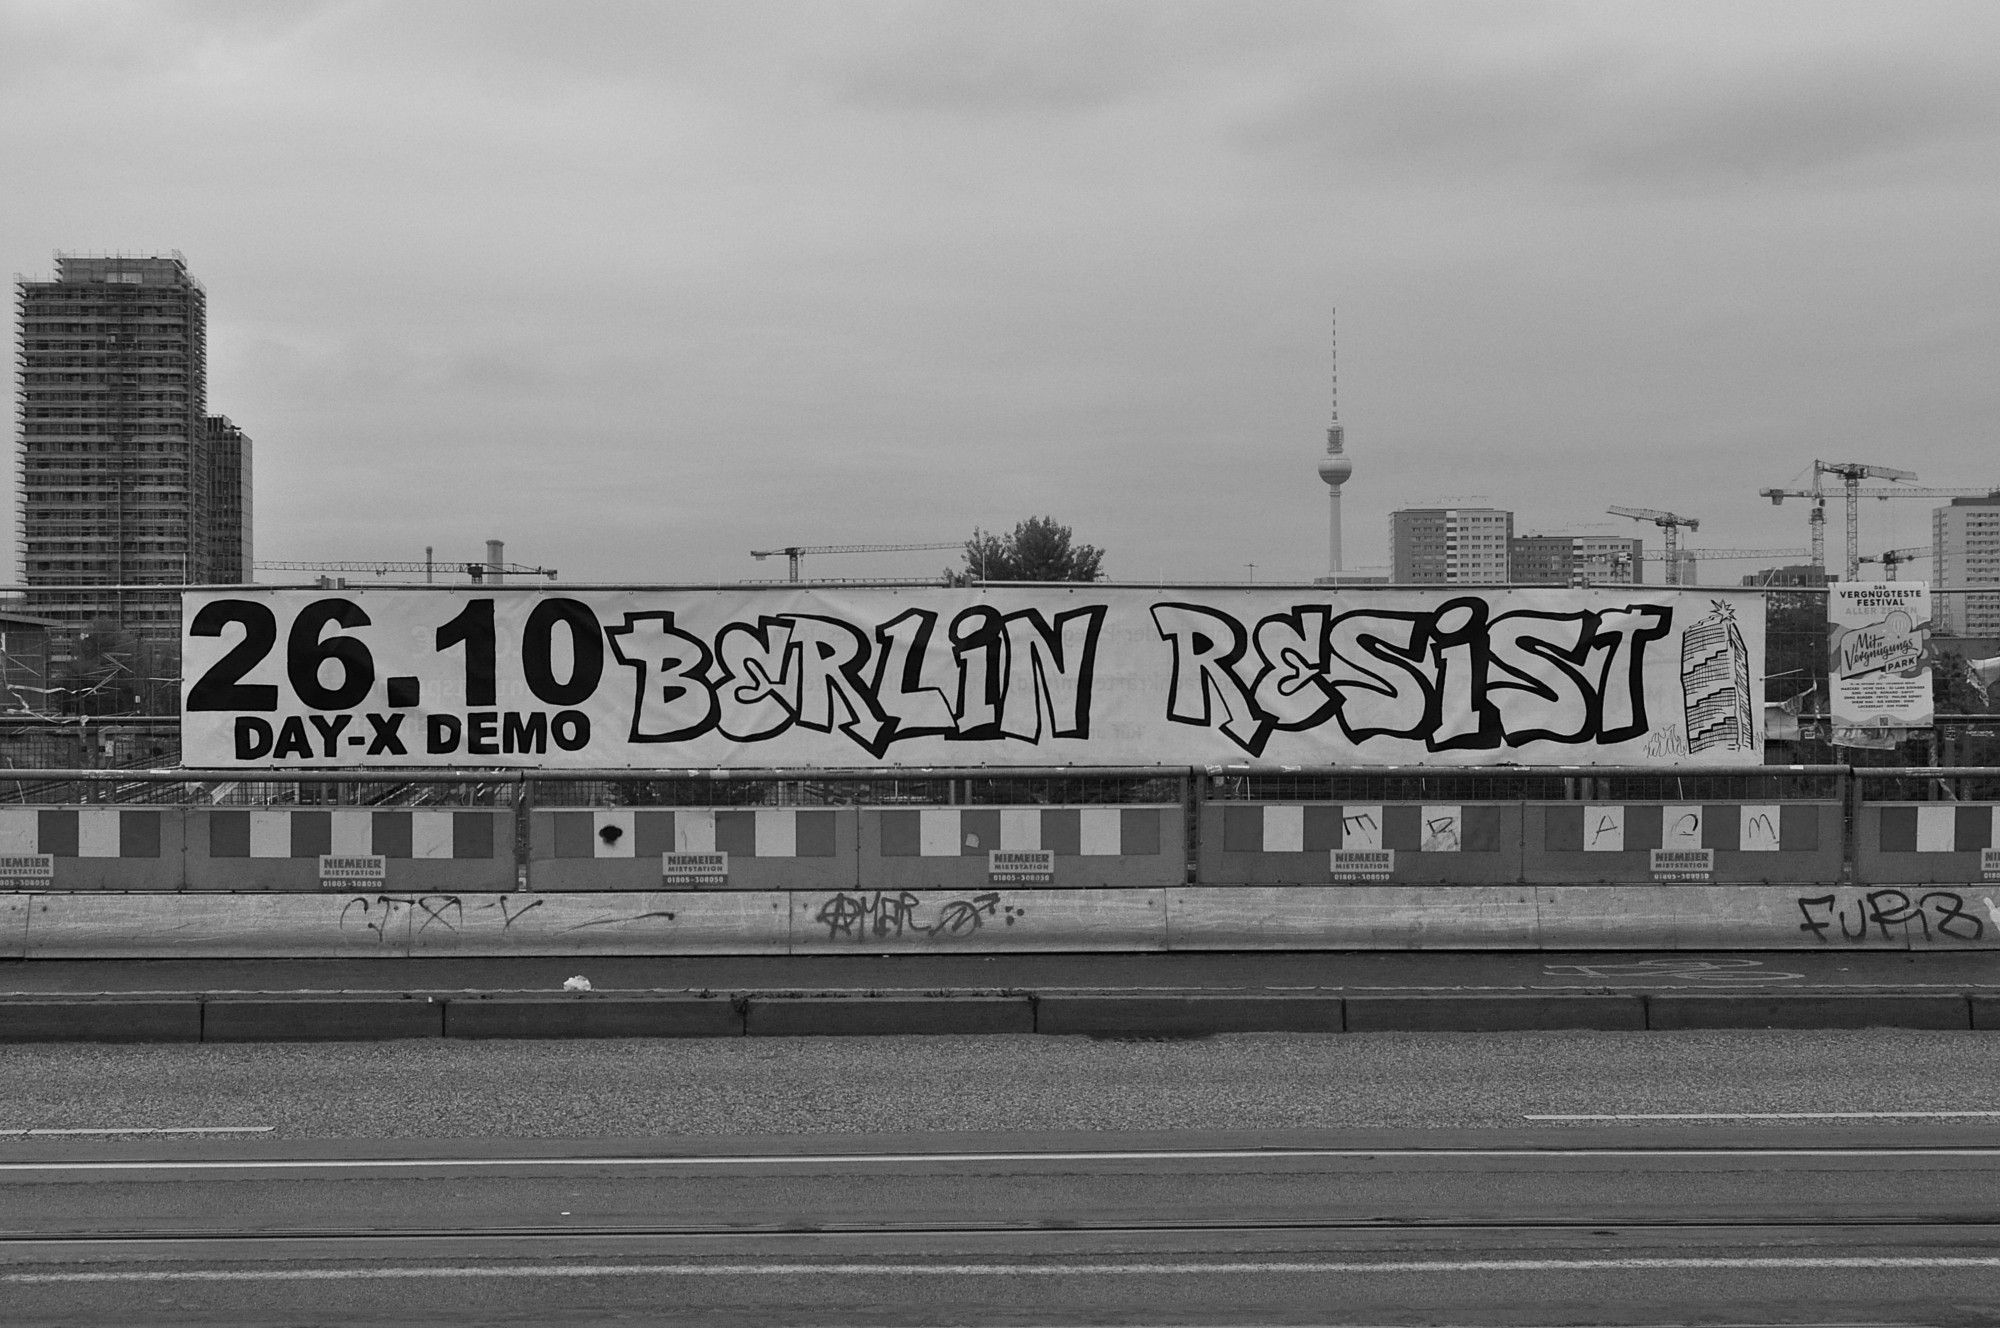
(1011, 1271)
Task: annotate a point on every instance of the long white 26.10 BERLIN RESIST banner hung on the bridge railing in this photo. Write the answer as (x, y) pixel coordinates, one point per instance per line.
(983, 677)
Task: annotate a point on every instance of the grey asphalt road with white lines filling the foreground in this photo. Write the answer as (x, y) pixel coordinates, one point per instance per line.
(1361, 1179)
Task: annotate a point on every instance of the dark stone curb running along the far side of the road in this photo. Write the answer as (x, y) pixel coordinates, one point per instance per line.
(733, 1015)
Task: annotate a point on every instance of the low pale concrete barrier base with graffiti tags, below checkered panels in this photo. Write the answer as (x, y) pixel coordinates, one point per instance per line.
(1057, 921)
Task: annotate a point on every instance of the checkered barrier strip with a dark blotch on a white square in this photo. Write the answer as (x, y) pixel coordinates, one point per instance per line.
(759, 833)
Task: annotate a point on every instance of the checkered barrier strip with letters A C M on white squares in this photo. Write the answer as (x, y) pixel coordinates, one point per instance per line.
(1725, 827)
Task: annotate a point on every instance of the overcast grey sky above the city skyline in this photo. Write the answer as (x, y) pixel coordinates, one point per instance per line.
(643, 287)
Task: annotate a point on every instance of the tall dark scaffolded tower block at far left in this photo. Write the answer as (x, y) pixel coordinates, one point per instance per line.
(125, 479)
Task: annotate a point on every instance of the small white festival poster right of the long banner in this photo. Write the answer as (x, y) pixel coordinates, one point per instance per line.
(1879, 671)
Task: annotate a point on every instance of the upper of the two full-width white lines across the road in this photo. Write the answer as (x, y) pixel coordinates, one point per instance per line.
(903, 1159)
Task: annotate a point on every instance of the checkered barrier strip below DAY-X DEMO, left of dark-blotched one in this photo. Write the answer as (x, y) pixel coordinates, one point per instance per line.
(355, 831)
